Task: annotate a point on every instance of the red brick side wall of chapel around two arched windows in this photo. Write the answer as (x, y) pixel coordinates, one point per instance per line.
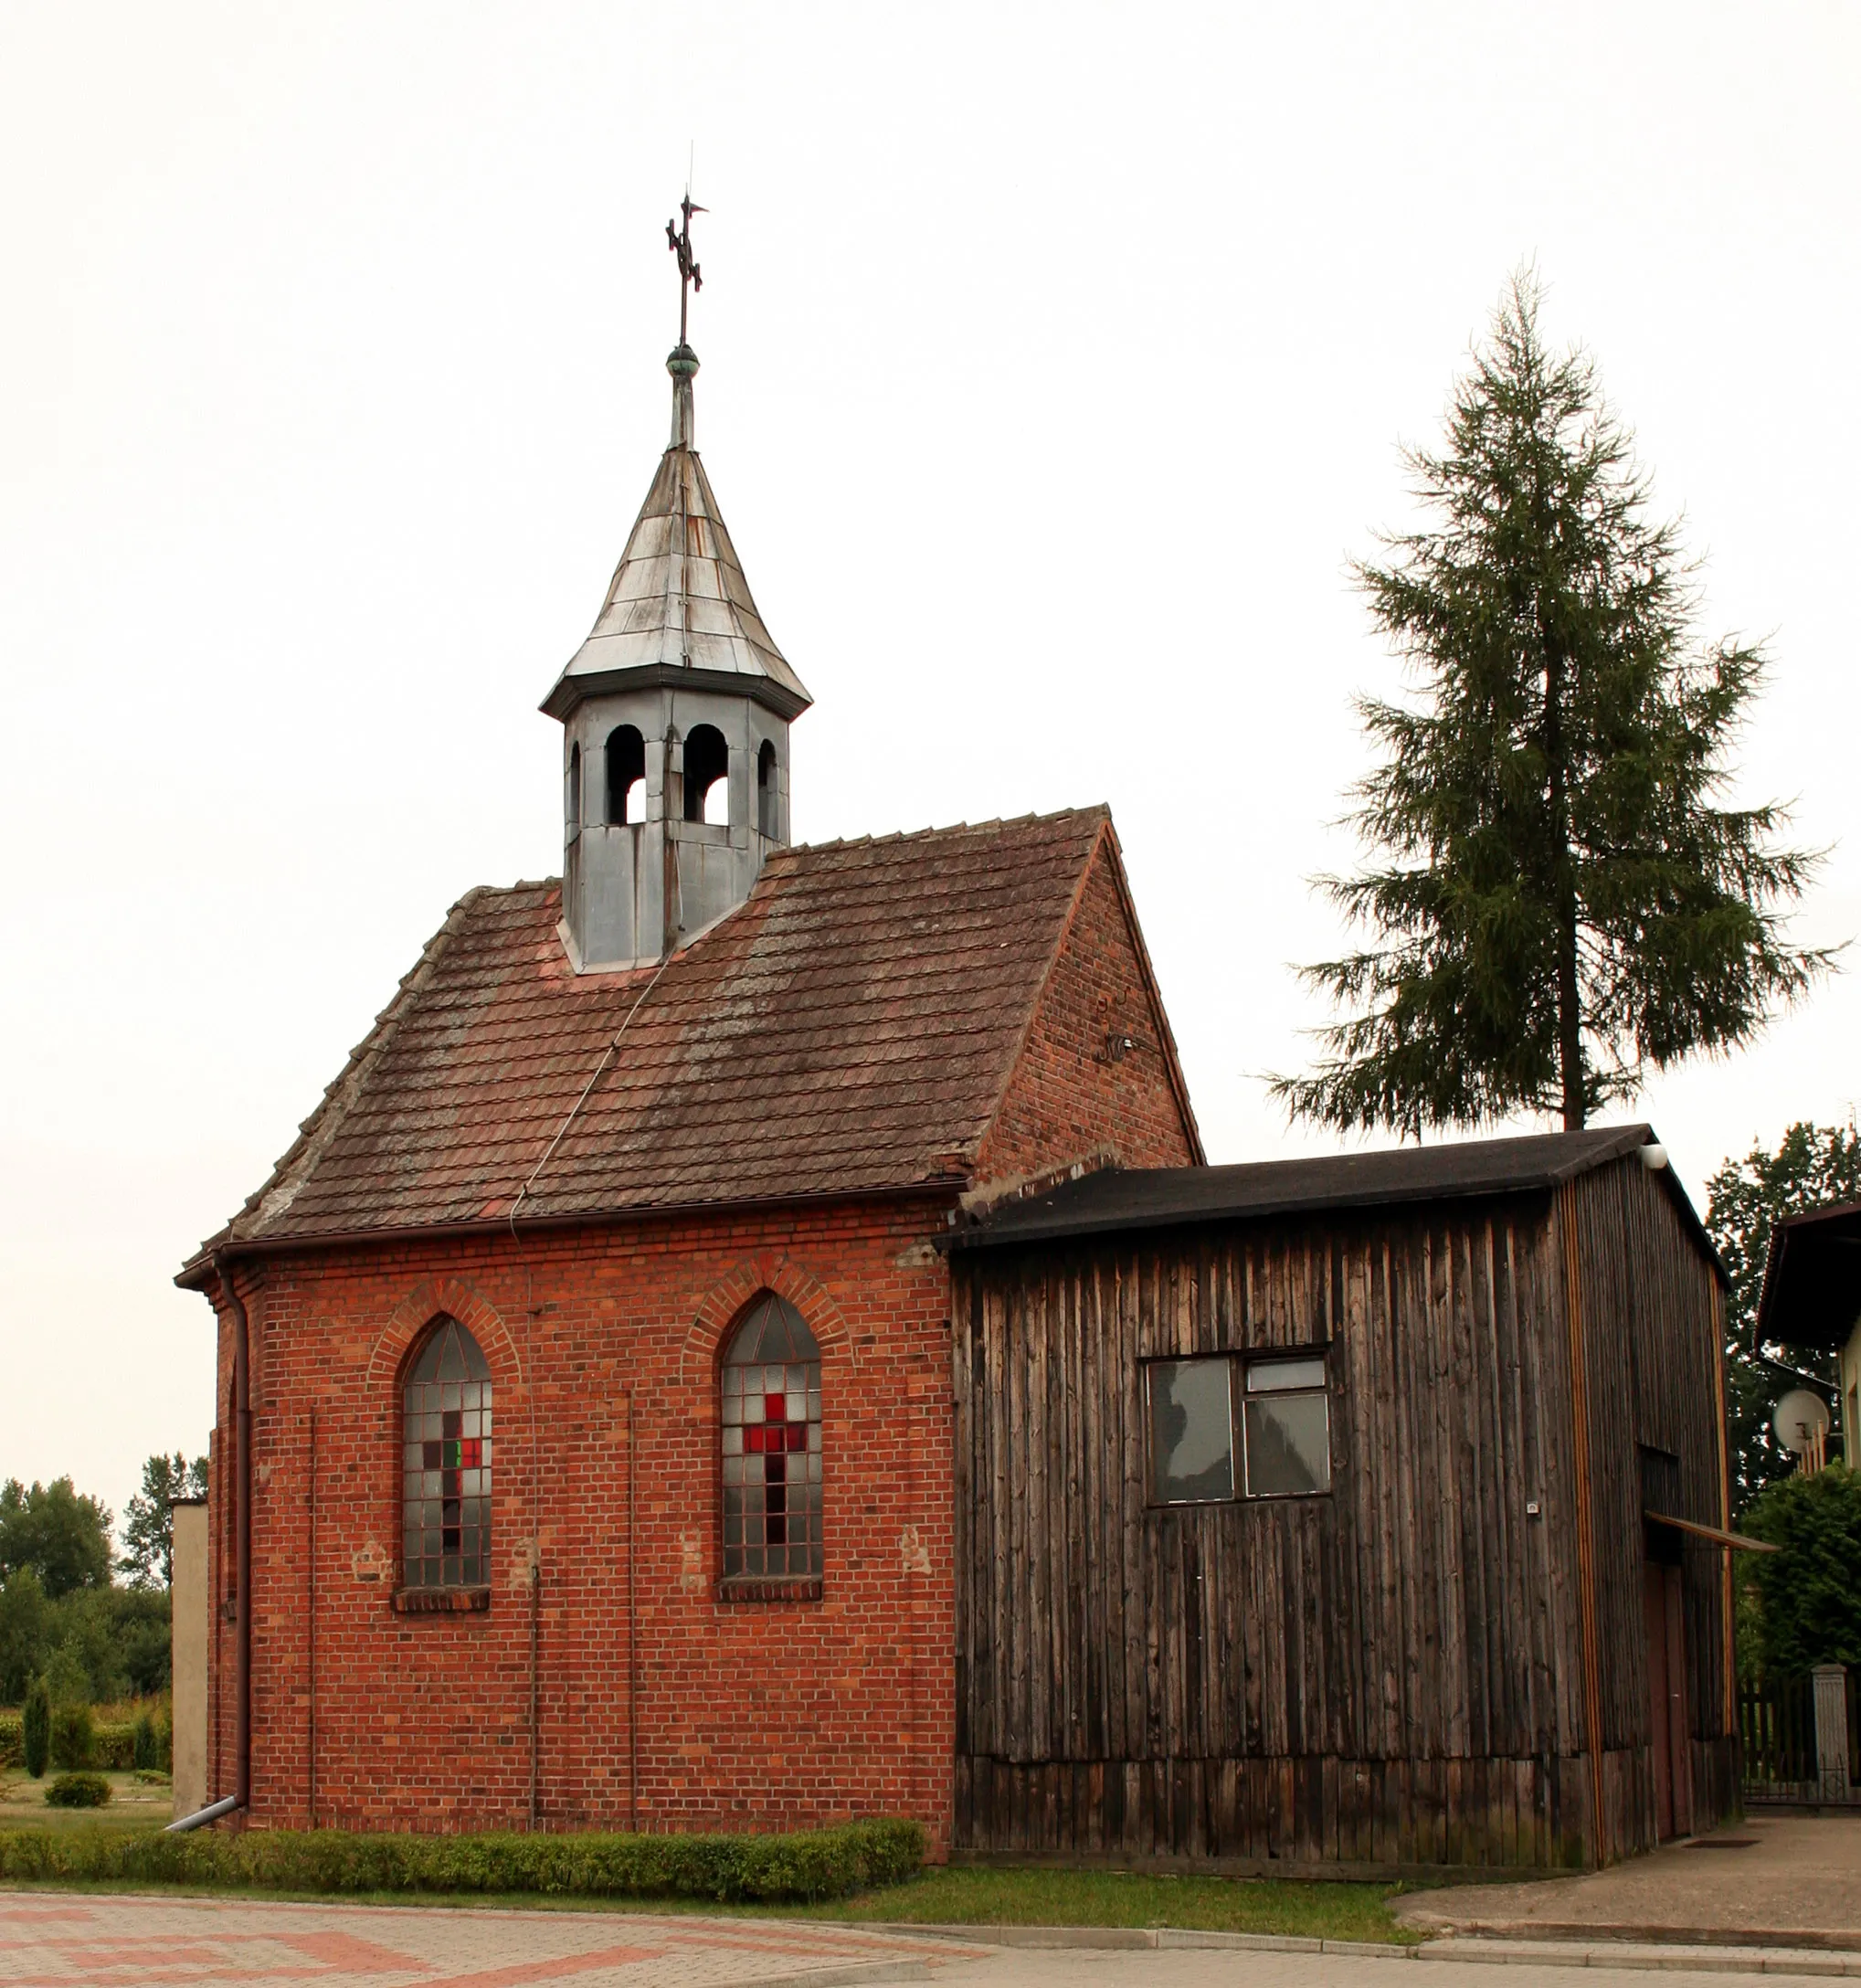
(751, 1715)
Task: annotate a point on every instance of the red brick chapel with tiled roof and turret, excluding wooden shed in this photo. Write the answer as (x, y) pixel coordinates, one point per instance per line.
(584, 1450)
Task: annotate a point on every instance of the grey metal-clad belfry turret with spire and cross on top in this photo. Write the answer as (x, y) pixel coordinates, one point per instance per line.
(675, 723)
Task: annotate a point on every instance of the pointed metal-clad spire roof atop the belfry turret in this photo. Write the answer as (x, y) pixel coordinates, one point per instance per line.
(679, 607)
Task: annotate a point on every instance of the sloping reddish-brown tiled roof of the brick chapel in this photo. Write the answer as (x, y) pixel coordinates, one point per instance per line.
(850, 1029)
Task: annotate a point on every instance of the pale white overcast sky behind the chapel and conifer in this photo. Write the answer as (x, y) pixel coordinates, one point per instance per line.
(1057, 361)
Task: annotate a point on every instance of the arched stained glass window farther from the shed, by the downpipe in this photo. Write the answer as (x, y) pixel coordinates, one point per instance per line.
(446, 1464)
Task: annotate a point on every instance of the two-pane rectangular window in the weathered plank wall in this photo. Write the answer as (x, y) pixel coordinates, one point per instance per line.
(1226, 1428)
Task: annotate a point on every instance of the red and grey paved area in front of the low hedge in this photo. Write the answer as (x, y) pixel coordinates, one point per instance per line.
(65, 1941)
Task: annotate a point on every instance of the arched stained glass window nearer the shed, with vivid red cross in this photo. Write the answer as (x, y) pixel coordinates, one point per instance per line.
(772, 1446)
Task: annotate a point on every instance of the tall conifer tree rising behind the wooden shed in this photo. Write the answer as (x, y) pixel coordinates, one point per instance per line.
(1560, 902)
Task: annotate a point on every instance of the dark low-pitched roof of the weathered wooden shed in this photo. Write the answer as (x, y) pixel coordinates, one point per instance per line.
(1166, 1198)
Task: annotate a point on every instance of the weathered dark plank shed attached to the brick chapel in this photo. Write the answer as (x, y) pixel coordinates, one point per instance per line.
(1363, 1512)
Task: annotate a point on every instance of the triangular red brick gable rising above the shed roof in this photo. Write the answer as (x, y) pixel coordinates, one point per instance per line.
(1069, 1096)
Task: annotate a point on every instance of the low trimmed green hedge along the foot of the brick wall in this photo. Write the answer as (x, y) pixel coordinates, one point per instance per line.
(818, 1864)
